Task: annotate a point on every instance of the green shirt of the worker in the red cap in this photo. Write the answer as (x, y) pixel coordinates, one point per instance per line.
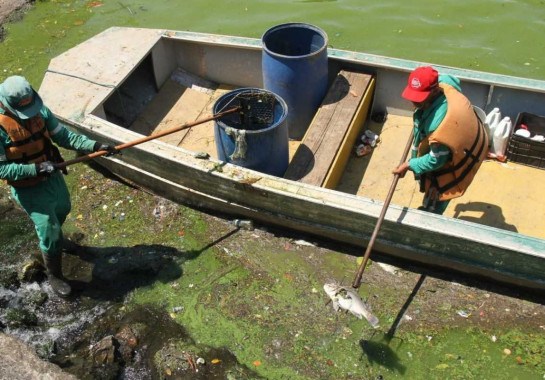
(425, 123)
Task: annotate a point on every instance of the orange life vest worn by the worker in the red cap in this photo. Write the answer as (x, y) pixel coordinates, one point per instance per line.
(464, 134)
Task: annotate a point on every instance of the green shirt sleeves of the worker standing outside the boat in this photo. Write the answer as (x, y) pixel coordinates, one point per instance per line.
(59, 134)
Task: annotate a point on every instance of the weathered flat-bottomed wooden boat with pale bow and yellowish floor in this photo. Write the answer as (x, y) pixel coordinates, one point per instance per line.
(125, 83)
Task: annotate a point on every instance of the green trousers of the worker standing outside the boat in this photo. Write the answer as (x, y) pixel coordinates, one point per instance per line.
(47, 204)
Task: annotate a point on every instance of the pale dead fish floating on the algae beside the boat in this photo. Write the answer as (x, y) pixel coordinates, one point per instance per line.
(346, 298)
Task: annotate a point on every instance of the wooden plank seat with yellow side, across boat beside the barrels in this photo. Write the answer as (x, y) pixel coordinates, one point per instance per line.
(327, 144)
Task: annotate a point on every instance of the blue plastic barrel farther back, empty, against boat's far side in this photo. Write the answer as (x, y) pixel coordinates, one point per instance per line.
(294, 64)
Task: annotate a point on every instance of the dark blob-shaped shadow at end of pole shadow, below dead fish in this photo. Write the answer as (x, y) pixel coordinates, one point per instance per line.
(378, 352)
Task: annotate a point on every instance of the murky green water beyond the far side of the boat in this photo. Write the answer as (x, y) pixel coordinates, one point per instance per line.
(491, 35)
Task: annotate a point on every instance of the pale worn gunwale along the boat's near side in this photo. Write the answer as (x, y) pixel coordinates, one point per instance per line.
(364, 206)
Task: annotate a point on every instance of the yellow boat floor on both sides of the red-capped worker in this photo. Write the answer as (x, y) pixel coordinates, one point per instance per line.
(504, 195)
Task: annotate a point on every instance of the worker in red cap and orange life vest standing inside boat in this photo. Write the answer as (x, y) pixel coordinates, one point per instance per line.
(449, 139)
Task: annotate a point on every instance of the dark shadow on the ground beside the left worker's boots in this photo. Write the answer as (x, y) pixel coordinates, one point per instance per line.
(109, 273)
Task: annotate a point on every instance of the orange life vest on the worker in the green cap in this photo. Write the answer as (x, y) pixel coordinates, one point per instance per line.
(29, 144)
